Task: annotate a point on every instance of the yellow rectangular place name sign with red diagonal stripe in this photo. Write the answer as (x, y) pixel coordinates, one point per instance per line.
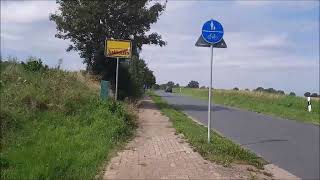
(118, 48)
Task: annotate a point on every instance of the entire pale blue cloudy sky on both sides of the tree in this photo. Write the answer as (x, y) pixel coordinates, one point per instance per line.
(270, 43)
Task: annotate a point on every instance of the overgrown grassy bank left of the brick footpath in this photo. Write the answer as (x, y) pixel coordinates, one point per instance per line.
(53, 125)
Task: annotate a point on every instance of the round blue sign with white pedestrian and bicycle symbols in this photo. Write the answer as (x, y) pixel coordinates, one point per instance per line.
(212, 31)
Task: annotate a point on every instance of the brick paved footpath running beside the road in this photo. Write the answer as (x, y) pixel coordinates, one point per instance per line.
(157, 153)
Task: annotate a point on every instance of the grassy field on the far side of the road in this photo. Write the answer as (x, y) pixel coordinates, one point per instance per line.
(283, 106)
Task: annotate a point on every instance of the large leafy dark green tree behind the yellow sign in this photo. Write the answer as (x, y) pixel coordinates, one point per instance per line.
(88, 23)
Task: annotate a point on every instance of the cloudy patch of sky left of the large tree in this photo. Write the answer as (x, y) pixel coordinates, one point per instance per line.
(27, 31)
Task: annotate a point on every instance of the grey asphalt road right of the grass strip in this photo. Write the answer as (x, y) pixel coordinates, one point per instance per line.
(288, 144)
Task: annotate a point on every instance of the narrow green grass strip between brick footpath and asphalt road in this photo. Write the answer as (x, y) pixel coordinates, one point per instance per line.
(220, 150)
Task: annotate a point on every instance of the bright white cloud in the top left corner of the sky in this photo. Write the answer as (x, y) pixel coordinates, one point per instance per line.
(26, 11)
